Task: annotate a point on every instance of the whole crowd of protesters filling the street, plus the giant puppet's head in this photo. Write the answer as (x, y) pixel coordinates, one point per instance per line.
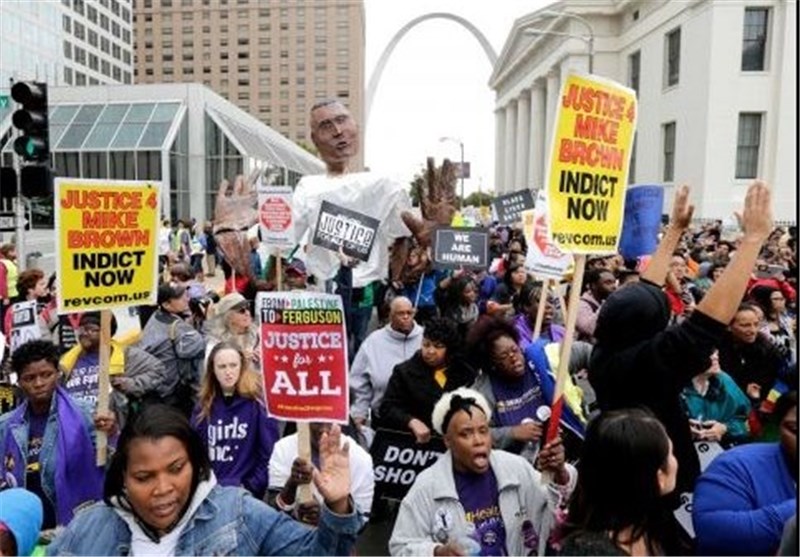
(682, 385)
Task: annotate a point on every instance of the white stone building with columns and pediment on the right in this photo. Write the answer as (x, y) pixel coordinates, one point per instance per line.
(716, 83)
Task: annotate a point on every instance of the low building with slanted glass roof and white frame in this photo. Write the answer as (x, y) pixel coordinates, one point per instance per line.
(184, 136)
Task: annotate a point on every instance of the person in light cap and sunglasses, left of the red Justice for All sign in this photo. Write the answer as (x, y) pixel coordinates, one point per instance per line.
(233, 322)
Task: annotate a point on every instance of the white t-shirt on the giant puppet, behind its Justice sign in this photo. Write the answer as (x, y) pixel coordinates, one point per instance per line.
(376, 196)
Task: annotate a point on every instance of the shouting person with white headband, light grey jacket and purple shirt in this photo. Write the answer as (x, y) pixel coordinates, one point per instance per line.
(473, 492)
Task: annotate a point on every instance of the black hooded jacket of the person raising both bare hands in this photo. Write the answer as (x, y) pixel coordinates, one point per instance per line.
(637, 362)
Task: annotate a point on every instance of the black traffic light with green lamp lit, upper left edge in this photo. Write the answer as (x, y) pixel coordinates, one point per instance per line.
(33, 143)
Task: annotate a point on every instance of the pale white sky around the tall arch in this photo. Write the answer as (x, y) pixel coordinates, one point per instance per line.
(435, 84)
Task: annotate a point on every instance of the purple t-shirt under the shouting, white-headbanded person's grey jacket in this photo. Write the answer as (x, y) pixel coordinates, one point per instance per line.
(479, 497)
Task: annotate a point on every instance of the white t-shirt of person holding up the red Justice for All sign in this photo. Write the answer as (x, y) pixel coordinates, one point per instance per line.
(362, 480)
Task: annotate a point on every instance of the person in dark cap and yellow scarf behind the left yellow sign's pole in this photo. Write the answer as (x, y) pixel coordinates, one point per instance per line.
(134, 373)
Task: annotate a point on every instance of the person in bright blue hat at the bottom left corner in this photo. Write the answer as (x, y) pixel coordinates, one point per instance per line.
(20, 521)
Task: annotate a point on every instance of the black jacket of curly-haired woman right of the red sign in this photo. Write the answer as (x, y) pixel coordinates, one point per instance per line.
(412, 391)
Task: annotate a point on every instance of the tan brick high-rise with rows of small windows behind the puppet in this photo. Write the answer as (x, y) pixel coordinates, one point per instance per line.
(272, 58)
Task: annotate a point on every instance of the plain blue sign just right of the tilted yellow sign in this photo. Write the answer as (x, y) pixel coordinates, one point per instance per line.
(642, 221)
